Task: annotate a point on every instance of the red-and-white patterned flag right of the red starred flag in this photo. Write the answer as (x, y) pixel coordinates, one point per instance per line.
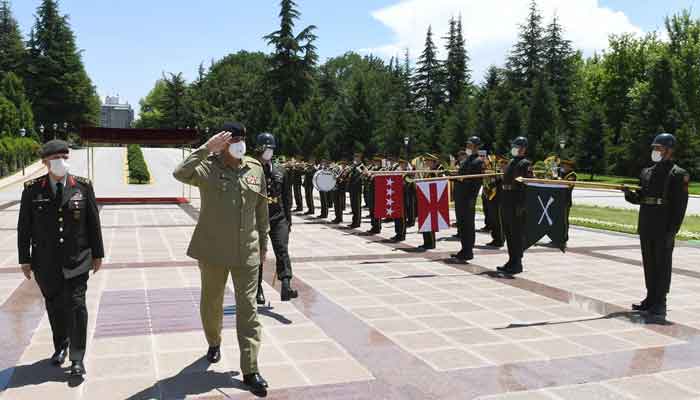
(433, 206)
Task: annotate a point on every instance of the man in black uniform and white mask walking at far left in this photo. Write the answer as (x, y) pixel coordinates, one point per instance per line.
(59, 240)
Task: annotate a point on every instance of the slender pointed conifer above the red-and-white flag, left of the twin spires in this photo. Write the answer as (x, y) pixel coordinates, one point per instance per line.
(428, 81)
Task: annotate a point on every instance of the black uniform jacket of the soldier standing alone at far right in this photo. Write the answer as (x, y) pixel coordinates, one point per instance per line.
(669, 182)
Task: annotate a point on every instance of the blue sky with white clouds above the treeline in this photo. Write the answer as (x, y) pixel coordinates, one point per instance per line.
(128, 44)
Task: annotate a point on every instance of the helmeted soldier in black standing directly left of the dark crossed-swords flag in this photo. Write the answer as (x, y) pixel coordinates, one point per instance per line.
(513, 206)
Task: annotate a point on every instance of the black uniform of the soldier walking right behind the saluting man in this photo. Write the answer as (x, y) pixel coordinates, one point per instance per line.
(279, 209)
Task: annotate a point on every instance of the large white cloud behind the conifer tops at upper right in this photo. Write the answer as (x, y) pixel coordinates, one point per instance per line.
(491, 26)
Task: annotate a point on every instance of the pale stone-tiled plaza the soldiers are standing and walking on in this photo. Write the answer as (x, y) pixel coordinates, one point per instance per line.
(374, 320)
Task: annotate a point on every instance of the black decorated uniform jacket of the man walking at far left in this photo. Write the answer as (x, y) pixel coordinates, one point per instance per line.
(65, 234)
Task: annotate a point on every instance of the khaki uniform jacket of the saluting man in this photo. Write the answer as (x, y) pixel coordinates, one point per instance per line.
(233, 223)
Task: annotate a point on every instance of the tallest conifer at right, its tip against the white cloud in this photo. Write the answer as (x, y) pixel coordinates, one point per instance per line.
(526, 60)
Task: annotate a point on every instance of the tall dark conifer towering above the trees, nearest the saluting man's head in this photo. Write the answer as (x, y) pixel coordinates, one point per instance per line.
(294, 58)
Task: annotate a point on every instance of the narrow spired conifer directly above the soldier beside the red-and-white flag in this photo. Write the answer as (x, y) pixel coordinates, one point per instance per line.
(456, 71)
